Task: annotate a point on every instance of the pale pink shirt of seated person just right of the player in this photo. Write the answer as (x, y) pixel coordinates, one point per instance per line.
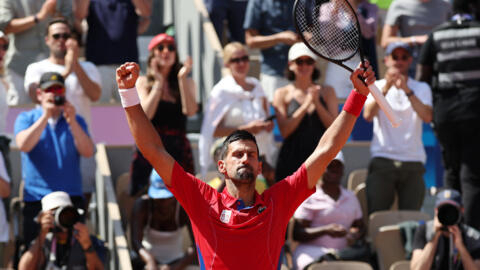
(322, 210)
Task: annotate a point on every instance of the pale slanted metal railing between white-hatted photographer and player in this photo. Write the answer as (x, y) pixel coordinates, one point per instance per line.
(108, 223)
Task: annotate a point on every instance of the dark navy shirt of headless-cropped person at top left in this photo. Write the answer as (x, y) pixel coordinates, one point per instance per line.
(112, 32)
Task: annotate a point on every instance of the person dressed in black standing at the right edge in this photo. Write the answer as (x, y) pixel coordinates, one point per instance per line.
(449, 62)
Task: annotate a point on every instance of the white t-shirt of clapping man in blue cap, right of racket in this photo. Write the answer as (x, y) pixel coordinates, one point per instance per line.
(403, 143)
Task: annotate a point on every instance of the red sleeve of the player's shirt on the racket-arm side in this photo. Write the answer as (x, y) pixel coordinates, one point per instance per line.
(290, 192)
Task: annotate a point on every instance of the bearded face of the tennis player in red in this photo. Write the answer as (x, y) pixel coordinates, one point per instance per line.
(241, 162)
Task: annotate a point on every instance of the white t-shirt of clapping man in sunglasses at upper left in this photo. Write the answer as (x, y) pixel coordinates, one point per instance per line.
(75, 93)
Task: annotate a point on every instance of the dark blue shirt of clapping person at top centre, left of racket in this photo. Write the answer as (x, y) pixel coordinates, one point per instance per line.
(269, 17)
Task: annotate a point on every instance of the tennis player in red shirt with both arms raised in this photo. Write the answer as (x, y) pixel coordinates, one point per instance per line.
(240, 229)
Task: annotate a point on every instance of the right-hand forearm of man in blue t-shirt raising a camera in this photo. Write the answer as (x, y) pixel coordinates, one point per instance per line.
(83, 142)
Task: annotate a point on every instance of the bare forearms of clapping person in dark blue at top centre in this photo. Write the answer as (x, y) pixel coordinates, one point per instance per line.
(255, 40)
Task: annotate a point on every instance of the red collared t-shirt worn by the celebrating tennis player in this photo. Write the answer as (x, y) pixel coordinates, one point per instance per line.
(250, 238)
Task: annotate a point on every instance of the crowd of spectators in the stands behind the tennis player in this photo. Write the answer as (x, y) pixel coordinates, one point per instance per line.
(41, 63)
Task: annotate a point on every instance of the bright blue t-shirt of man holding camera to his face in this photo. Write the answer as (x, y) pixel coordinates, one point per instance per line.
(54, 163)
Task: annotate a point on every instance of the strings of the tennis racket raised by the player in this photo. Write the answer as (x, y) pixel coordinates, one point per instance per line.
(329, 27)
